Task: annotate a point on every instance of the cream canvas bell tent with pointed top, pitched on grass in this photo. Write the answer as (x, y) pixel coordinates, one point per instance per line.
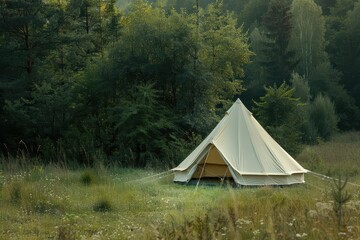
(241, 149)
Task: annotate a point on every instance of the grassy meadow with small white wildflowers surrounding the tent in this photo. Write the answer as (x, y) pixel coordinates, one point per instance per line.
(52, 202)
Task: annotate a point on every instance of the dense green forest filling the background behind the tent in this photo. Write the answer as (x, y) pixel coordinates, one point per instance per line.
(140, 83)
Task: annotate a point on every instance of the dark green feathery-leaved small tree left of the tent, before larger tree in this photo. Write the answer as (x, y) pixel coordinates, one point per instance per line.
(148, 121)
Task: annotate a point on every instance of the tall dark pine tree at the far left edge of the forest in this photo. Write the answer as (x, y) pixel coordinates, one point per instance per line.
(29, 32)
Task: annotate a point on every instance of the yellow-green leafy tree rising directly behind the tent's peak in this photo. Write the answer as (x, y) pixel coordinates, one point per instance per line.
(223, 52)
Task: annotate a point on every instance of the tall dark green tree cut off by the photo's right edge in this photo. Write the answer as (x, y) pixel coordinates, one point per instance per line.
(342, 35)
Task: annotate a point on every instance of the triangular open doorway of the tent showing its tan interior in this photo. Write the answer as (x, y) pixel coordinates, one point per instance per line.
(212, 169)
